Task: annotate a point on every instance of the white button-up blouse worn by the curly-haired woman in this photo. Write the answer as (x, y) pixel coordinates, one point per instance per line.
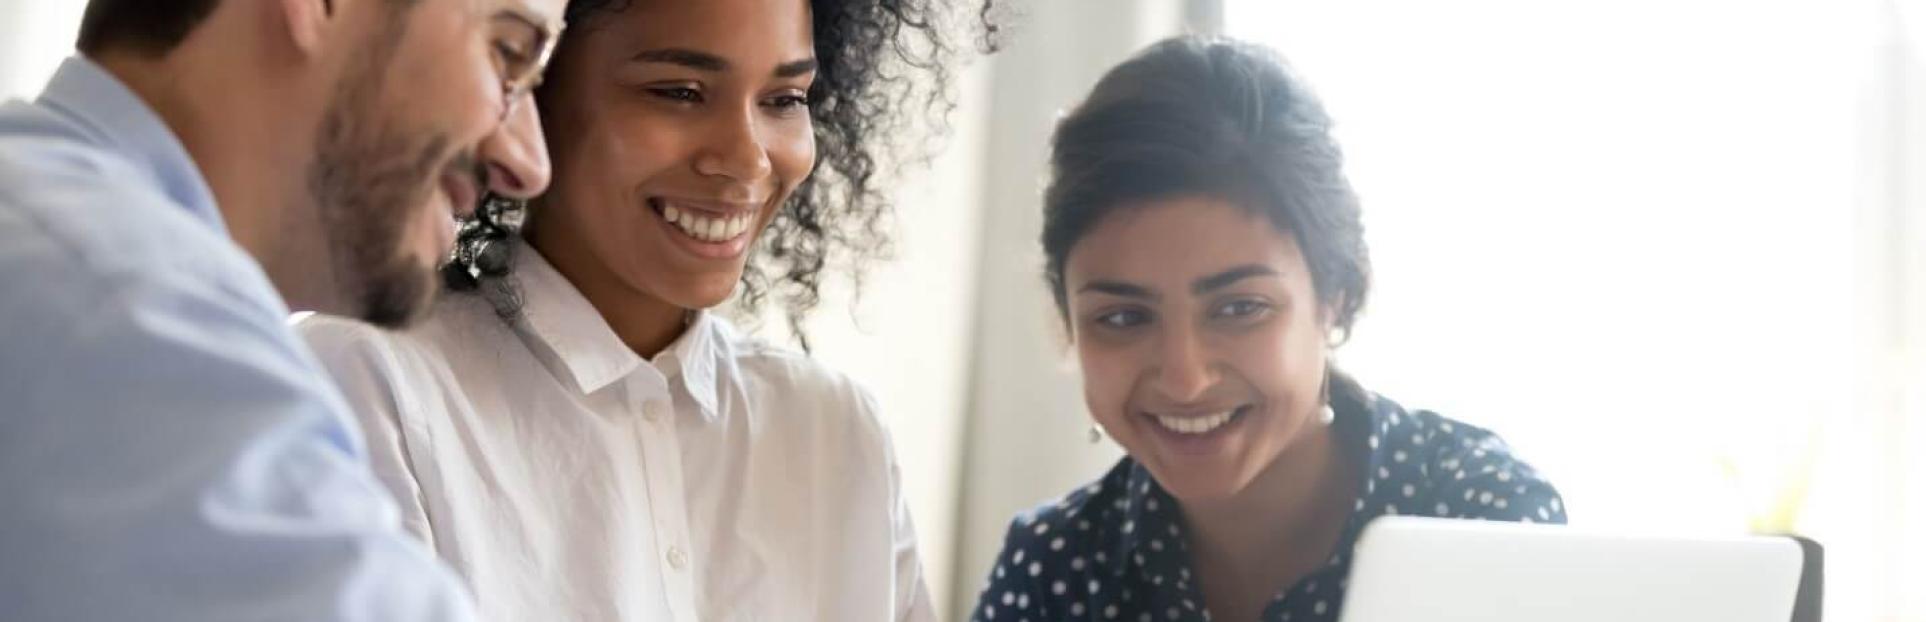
(567, 479)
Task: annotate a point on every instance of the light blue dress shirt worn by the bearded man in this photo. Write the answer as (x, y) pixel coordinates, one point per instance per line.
(169, 448)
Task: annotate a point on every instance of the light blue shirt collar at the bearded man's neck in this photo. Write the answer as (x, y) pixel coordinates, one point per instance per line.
(117, 118)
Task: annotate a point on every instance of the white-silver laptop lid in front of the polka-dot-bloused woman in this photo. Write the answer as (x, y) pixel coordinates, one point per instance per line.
(1447, 571)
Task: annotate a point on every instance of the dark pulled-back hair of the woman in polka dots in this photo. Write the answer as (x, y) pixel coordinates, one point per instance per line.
(1218, 118)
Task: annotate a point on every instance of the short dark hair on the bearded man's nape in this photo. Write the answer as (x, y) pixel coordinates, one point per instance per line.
(149, 28)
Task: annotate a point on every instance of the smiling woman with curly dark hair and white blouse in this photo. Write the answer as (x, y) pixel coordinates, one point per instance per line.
(581, 434)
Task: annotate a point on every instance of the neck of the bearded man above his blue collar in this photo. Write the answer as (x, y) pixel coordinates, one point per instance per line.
(251, 145)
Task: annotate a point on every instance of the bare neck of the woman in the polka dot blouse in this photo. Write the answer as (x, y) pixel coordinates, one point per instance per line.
(1274, 532)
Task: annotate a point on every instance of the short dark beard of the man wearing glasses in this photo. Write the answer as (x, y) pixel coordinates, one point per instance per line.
(371, 178)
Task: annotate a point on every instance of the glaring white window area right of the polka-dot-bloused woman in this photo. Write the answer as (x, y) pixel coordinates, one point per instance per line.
(1669, 247)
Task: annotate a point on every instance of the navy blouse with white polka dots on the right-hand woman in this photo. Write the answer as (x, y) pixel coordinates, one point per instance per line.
(1116, 550)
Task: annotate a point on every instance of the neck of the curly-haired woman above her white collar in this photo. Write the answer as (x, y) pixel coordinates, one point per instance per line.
(644, 323)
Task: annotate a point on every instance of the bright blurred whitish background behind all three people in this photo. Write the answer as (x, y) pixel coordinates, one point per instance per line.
(1673, 249)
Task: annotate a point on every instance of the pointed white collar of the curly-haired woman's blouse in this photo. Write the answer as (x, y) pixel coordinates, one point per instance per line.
(561, 321)
